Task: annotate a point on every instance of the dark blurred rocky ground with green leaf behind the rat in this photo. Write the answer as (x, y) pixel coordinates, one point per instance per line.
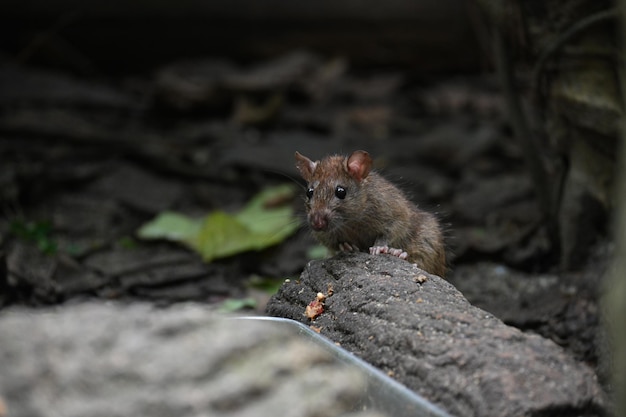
(123, 123)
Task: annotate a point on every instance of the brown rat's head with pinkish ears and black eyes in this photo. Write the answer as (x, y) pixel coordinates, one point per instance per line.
(333, 192)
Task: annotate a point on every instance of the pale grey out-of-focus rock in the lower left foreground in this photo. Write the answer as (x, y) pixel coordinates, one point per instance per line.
(111, 360)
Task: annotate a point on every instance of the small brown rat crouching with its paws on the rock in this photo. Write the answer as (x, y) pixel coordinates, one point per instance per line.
(352, 208)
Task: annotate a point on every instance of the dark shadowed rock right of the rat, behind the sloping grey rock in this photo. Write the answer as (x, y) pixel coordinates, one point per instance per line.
(563, 308)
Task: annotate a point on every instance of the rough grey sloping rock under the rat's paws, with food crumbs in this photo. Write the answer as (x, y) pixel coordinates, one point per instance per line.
(421, 330)
